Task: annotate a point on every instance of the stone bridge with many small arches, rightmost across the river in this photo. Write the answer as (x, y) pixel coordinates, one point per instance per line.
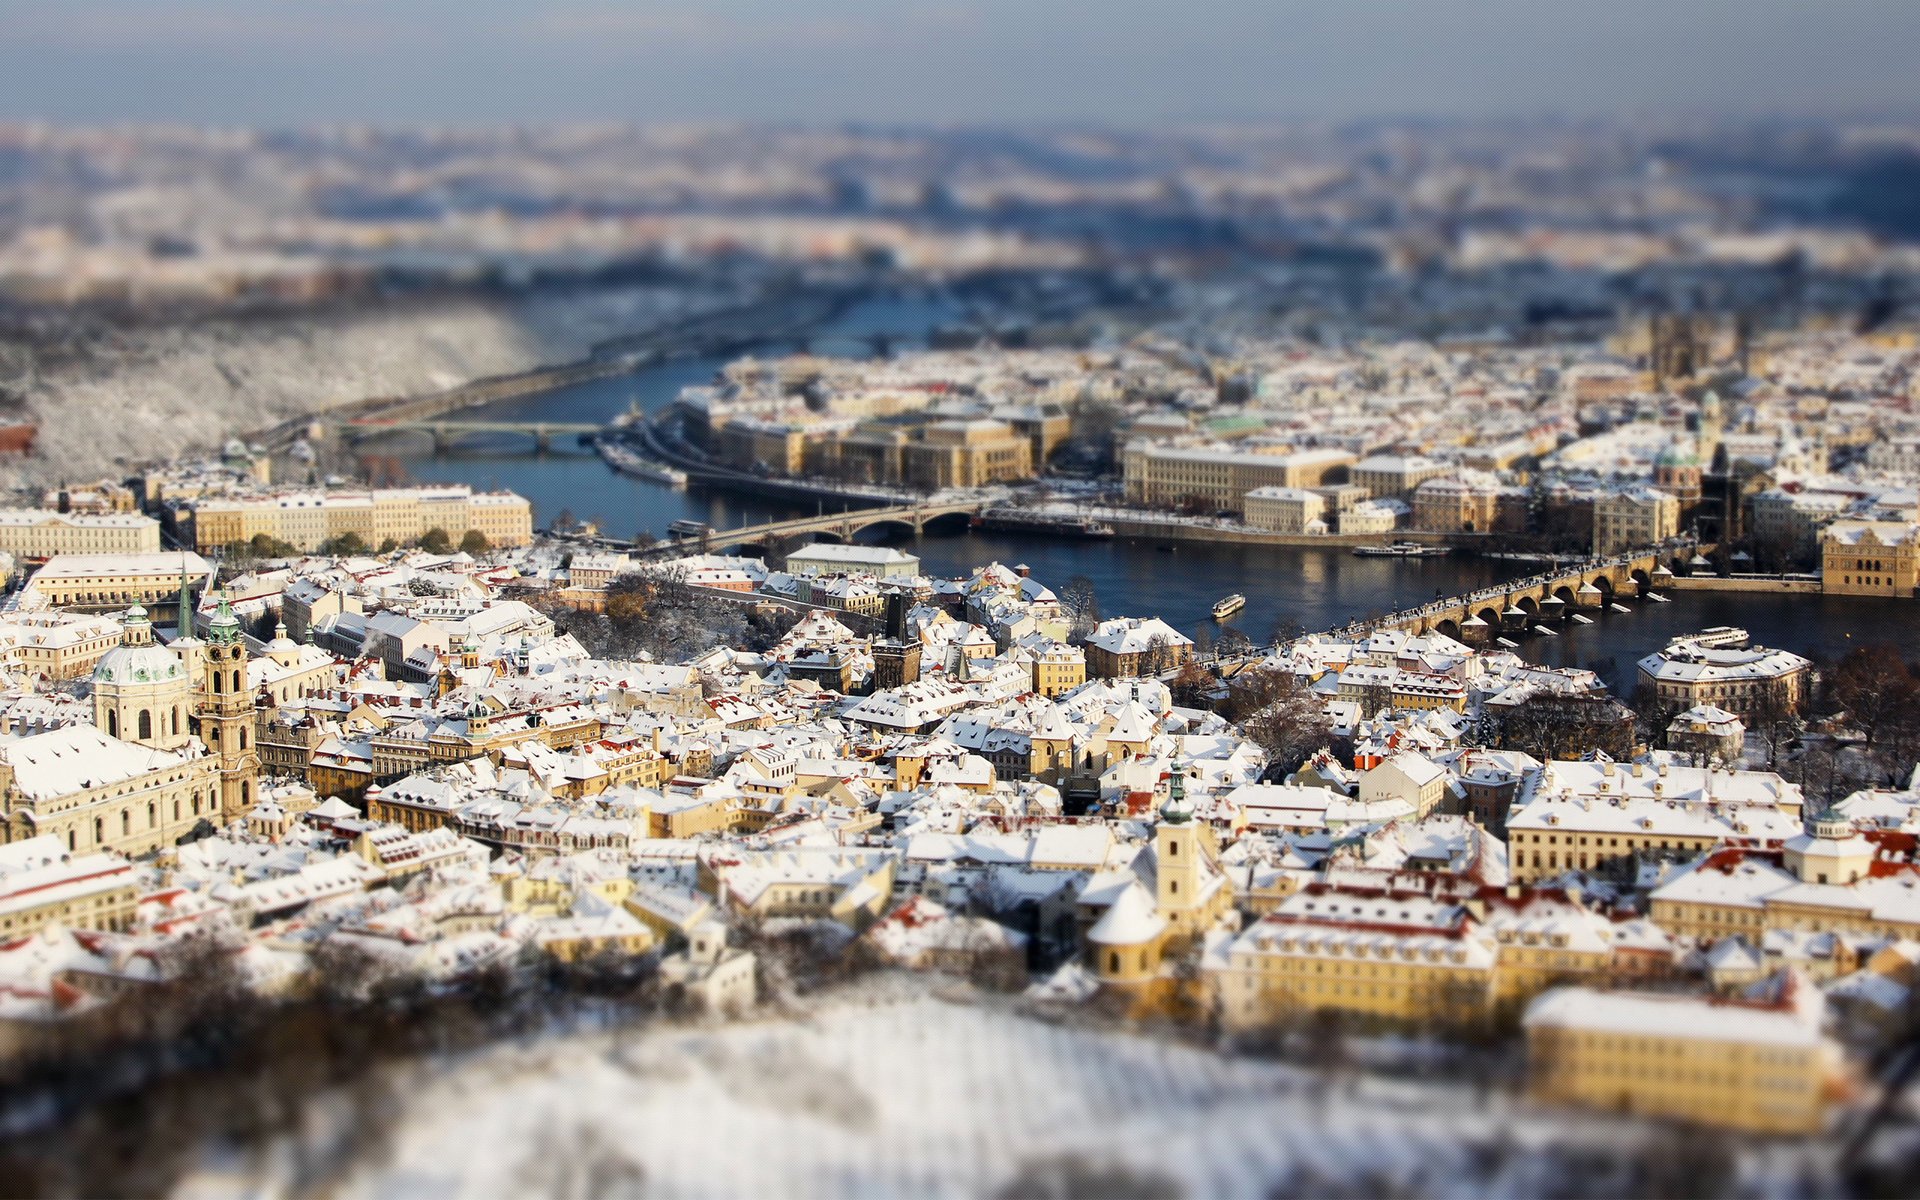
(1522, 604)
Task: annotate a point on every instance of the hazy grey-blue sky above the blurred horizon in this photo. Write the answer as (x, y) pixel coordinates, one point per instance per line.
(1120, 62)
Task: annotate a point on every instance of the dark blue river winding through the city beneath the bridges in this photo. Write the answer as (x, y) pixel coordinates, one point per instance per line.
(1308, 588)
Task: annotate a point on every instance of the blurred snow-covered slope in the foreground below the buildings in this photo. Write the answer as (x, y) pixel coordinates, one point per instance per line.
(924, 1097)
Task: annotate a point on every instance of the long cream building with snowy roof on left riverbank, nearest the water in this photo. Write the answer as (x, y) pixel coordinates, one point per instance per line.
(404, 516)
